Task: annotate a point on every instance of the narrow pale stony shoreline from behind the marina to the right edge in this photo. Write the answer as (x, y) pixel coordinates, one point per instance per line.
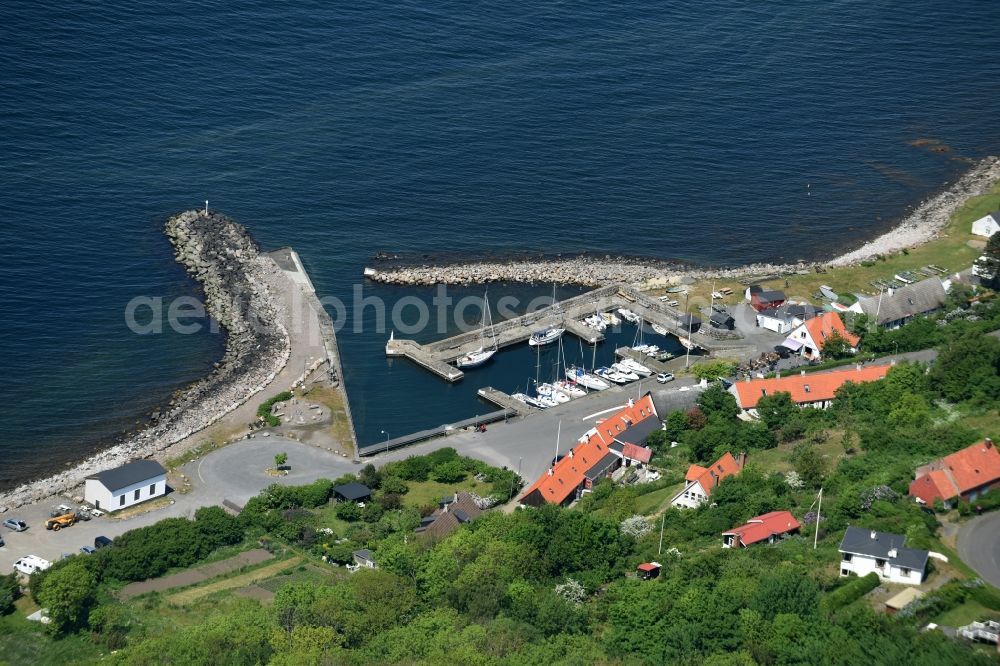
(920, 226)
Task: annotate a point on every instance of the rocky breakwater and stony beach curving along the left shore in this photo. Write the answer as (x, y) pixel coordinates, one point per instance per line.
(226, 262)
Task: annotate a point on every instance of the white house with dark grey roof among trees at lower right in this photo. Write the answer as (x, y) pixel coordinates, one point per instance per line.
(865, 551)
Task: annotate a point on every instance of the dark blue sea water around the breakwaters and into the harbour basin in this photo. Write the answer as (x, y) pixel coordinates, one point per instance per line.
(678, 130)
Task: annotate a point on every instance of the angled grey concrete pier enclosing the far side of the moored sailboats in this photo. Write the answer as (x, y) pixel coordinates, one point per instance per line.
(439, 356)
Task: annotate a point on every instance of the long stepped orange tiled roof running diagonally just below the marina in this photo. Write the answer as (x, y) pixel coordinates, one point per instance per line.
(562, 480)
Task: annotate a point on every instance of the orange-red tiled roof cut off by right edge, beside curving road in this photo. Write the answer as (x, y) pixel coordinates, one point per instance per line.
(958, 473)
